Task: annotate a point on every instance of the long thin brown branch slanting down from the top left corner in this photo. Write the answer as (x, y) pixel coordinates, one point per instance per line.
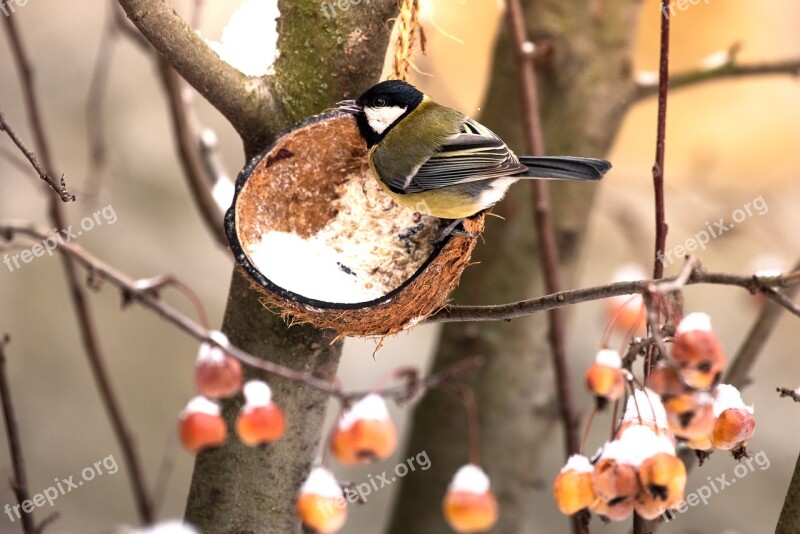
(77, 292)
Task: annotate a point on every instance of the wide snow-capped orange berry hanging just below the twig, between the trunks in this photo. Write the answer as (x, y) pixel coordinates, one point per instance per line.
(364, 432)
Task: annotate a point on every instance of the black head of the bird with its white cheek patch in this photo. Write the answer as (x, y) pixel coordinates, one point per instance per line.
(382, 106)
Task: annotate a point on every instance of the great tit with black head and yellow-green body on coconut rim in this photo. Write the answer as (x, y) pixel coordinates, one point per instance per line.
(435, 160)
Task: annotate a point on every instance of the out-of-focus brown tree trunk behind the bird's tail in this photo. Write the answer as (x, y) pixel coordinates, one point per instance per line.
(583, 96)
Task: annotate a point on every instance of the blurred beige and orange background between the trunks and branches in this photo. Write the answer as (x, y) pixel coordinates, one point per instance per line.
(728, 144)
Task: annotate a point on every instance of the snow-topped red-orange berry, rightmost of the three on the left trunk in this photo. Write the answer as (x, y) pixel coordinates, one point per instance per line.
(260, 421)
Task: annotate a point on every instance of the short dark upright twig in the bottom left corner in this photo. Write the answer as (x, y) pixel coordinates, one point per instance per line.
(19, 484)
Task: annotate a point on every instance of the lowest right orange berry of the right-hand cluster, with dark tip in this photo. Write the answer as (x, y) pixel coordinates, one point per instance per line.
(663, 481)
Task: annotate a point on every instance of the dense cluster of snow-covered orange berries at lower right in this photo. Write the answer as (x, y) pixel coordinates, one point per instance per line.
(638, 470)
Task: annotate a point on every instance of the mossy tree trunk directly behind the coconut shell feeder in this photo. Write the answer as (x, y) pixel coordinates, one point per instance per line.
(236, 488)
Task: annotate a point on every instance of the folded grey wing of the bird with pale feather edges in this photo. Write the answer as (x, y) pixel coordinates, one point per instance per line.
(473, 154)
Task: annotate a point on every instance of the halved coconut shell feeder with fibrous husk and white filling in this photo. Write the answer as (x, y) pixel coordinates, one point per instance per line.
(322, 242)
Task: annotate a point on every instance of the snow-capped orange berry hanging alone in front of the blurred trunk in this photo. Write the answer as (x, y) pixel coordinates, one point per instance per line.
(469, 504)
